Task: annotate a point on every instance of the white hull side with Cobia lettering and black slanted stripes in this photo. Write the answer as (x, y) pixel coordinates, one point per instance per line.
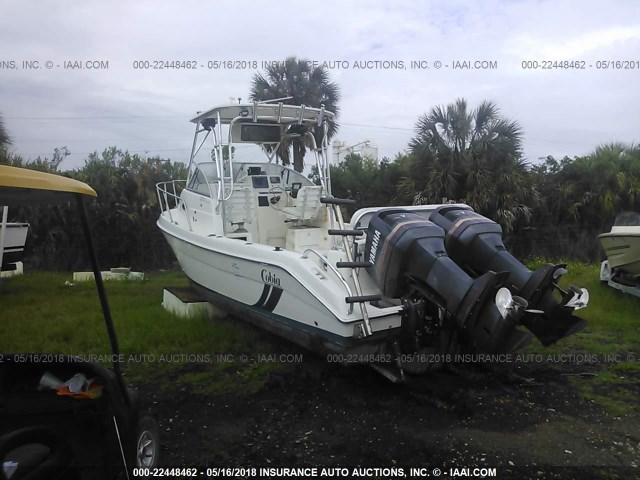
(273, 289)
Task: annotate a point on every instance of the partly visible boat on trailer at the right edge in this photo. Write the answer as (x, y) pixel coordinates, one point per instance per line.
(621, 245)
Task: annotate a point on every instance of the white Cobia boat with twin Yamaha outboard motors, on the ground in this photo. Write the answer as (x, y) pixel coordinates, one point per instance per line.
(270, 245)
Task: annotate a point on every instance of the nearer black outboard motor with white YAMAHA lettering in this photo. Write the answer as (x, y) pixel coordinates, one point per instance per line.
(407, 254)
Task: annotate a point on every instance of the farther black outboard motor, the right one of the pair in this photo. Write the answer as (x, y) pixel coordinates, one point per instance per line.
(475, 243)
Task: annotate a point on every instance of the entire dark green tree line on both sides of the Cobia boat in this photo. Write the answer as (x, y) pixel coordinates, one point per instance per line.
(551, 209)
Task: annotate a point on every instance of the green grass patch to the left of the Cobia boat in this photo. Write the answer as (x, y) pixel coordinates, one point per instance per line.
(41, 314)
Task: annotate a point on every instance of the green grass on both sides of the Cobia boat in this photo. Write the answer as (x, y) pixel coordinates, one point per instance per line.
(40, 314)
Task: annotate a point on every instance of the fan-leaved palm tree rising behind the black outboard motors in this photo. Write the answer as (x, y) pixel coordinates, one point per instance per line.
(473, 156)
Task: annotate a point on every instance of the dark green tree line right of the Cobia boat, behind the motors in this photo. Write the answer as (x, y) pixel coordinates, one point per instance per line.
(553, 209)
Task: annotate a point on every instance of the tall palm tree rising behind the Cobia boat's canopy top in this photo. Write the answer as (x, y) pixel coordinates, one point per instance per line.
(307, 85)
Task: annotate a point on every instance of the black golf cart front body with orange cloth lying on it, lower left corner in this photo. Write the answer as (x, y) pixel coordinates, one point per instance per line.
(43, 432)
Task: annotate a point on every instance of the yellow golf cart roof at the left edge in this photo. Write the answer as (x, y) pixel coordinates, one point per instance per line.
(20, 185)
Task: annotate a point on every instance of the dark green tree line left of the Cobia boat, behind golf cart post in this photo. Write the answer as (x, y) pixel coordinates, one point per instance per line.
(123, 216)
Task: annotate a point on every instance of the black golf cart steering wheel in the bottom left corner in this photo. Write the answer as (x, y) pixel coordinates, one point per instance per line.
(45, 464)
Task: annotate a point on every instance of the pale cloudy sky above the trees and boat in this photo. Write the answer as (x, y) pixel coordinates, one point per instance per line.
(506, 51)
